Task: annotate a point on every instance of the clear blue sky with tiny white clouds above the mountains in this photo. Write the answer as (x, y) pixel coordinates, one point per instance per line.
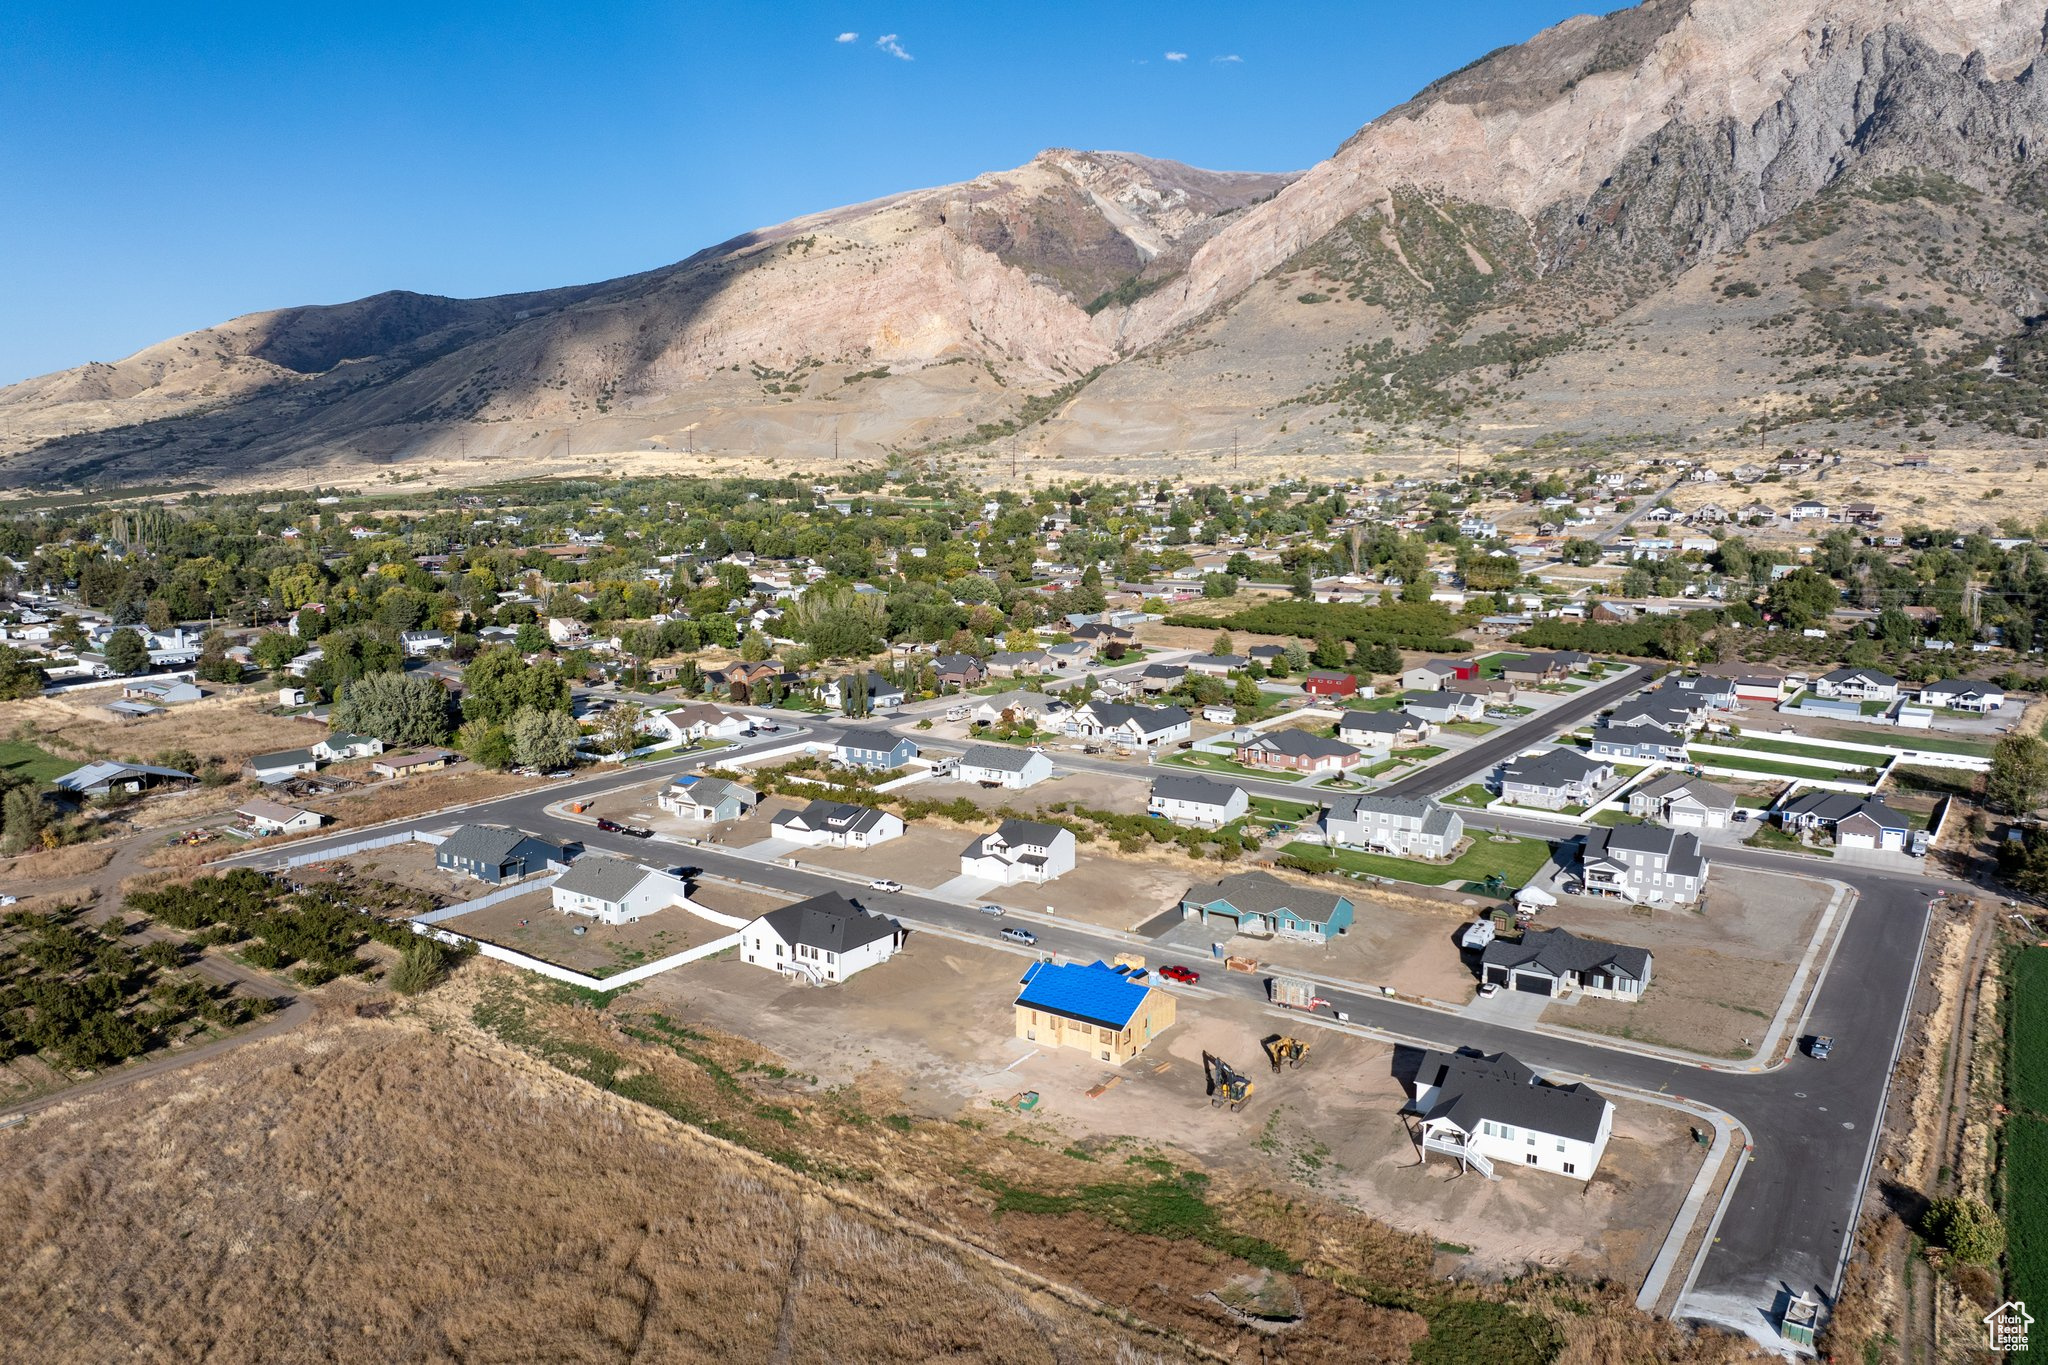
(175, 165)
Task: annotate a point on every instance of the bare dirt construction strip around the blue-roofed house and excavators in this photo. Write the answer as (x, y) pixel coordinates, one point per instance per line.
(937, 1026)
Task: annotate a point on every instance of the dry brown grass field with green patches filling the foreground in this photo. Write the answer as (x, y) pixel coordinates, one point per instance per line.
(505, 1174)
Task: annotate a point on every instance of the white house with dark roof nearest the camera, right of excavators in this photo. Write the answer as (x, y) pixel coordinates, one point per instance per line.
(1492, 1110)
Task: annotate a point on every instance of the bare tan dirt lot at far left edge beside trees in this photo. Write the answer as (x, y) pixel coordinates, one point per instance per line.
(230, 728)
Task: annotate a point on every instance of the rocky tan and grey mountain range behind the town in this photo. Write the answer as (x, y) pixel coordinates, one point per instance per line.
(1676, 224)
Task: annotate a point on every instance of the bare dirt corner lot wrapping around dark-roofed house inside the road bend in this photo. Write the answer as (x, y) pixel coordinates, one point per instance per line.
(1717, 977)
